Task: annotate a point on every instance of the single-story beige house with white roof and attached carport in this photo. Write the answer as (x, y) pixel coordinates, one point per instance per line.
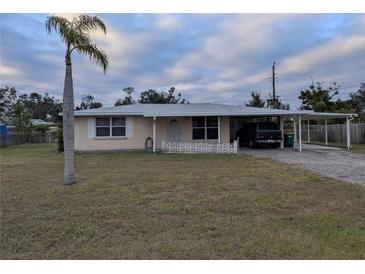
(137, 126)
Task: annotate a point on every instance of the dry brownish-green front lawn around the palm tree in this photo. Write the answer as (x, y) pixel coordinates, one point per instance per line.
(143, 206)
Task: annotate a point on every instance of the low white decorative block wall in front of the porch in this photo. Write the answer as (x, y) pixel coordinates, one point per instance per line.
(226, 148)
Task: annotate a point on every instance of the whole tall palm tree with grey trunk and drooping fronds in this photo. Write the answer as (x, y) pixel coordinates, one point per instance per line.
(75, 35)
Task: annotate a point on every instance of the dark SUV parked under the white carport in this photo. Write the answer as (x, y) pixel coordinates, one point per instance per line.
(260, 133)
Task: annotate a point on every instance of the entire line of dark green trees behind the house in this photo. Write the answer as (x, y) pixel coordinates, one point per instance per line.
(18, 110)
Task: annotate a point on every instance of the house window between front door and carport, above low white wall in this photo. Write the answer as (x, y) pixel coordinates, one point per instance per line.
(205, 128)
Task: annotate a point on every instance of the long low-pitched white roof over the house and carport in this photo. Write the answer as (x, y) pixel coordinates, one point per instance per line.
(174, 110)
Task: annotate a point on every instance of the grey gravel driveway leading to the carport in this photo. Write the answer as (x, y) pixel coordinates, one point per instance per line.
(328, 161)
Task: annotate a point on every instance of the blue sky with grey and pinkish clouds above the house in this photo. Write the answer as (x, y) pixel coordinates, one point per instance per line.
(215, 58)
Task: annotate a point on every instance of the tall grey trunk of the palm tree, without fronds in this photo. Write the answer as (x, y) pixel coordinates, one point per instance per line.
(68, 123)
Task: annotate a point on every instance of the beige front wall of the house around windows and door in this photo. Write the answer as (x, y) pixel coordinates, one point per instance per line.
(142, 128)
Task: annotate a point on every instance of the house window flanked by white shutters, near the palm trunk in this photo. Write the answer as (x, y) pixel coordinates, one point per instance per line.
(110, 126)
